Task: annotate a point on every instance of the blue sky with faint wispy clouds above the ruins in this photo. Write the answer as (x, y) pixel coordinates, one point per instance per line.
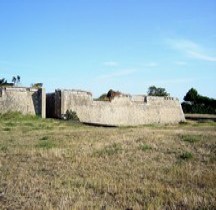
(96, 45)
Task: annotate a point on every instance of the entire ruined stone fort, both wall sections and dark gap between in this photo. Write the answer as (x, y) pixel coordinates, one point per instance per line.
(122, 110)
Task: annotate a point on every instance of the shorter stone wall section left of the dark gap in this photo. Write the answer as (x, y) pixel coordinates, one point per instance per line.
(24, 100)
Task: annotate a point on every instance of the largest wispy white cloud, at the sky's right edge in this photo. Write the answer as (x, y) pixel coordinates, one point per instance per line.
(191, 49)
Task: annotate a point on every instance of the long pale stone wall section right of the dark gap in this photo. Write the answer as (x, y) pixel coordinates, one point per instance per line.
(122, 110)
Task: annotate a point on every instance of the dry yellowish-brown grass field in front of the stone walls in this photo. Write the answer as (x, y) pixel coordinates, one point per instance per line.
(52, 164)
